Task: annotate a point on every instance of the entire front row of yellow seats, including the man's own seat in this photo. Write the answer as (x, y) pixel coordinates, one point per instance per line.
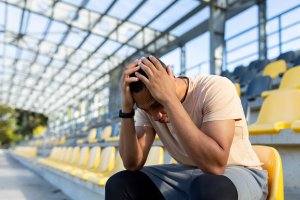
(96, 165)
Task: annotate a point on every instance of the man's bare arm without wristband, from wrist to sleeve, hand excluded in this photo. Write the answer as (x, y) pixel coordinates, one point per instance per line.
(209, 148)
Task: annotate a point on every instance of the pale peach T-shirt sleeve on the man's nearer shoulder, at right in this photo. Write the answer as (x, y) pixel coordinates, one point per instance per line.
(221, 101)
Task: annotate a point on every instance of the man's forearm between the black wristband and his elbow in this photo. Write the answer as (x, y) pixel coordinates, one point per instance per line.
(129, 147)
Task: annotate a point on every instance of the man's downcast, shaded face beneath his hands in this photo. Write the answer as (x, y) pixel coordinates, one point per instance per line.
(146, 102)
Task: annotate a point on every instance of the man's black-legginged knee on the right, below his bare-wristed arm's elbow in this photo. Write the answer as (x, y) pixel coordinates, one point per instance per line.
(212, 187)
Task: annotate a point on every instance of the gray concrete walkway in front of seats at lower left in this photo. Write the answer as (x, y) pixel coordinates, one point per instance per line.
(19, 183)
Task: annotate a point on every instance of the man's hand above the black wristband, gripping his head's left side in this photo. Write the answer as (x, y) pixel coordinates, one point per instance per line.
(127, 100)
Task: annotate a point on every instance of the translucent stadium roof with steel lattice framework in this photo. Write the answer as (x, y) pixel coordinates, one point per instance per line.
(54, 53)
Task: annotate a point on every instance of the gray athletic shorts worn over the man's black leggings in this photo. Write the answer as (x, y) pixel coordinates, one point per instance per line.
(174, 180)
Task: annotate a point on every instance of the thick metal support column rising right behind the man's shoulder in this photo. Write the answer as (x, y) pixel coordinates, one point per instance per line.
(217, 29)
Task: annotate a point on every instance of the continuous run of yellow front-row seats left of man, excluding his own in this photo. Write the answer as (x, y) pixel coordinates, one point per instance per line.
(95, 165)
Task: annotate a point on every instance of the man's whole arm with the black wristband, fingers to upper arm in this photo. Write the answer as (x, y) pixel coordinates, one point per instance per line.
(135, 142)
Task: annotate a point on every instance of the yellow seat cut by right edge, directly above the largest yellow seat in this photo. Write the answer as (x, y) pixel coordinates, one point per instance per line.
(289, 80)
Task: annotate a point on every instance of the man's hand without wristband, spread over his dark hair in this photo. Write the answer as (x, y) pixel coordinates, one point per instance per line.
(160, 83)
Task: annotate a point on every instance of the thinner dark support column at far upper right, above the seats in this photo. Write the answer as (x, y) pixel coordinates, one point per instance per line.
(262, 34)
